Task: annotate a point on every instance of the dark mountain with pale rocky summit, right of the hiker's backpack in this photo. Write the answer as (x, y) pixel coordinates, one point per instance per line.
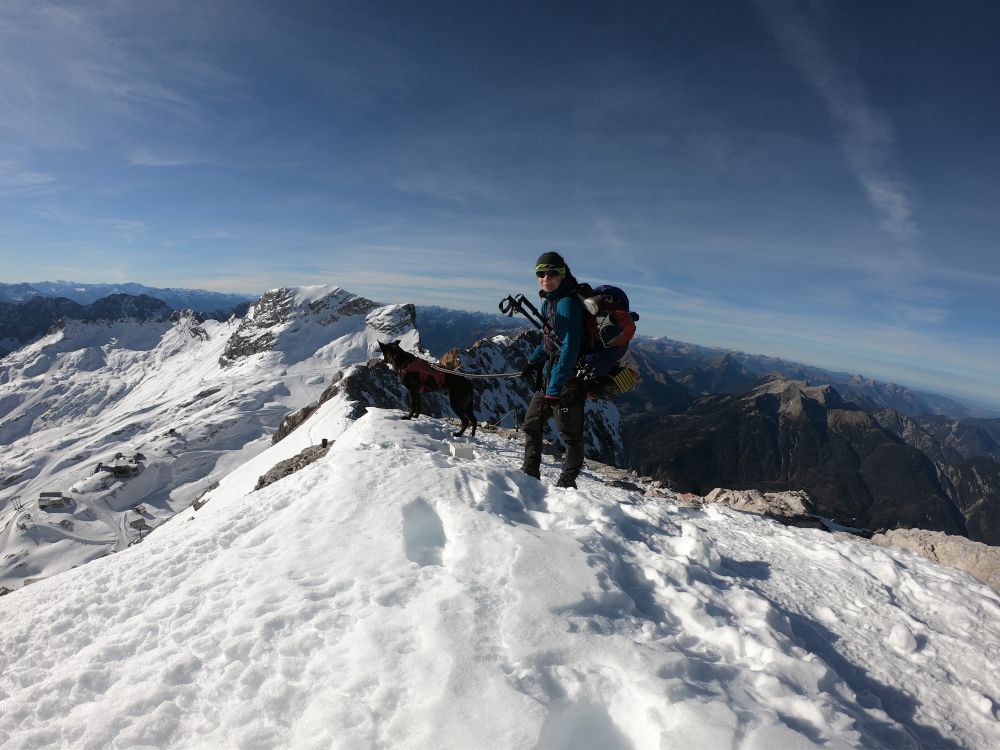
(790, 435)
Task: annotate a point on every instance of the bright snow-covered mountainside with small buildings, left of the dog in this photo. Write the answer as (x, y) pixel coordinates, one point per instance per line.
(81, 395)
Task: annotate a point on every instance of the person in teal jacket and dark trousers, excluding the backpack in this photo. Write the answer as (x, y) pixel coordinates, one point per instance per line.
(559, 394)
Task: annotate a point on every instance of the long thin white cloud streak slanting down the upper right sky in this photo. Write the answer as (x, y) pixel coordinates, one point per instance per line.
(866, 135)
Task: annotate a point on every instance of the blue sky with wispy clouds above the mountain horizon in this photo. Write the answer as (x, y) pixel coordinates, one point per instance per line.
(813, 180)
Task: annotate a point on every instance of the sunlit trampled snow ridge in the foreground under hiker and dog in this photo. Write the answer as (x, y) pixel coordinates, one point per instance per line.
(392, 595)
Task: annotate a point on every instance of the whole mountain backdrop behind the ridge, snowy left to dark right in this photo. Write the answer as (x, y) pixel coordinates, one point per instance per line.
(128, 374)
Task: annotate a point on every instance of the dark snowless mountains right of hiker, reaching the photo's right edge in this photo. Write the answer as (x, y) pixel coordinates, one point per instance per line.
(868, 469)
